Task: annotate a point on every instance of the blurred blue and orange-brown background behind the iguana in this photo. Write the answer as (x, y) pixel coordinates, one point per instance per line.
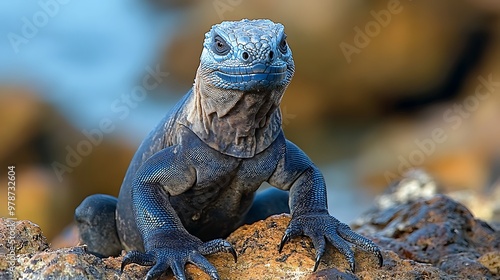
(380, 87)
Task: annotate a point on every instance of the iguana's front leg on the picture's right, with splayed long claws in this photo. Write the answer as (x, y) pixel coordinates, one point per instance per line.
(309, 210)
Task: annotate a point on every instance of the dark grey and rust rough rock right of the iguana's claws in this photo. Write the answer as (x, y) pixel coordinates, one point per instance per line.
(437, 231)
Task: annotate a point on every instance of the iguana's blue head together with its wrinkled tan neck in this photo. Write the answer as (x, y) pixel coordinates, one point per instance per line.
(245, 67)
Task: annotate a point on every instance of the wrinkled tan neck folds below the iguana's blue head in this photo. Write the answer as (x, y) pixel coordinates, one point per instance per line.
(234, 122)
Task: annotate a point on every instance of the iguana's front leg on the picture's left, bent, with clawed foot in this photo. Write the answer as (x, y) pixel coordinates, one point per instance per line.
(167, 243)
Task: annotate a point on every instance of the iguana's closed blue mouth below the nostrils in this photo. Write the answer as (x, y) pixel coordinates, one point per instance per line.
(256, 72)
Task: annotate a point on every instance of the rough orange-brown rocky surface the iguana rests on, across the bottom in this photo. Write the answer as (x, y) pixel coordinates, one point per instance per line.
(426, 238)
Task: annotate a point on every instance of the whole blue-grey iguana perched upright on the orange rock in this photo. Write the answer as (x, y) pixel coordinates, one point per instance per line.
(193, 179)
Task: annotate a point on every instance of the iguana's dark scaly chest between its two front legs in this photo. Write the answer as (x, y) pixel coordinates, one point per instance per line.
(224, 188)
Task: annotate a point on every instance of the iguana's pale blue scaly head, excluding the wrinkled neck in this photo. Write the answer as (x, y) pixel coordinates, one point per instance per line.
(246, 55)
